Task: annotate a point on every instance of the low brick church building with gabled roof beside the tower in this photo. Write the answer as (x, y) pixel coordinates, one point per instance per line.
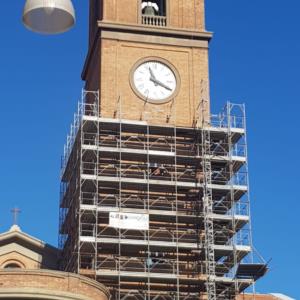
(28, 270)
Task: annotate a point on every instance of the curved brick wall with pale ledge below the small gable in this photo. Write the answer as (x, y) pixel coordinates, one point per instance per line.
(46, 284)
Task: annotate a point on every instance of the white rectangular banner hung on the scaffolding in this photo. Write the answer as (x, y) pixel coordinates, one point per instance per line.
(129, 221)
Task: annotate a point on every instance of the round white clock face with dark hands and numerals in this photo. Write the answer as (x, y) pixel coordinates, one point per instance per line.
(154, 81)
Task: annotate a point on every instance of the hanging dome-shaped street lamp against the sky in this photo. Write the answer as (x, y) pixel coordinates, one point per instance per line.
(49, 16)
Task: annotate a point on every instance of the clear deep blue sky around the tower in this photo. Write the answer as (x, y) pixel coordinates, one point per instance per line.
(254, 59)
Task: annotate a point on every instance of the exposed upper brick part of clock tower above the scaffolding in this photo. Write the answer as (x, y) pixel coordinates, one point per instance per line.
(148, 59)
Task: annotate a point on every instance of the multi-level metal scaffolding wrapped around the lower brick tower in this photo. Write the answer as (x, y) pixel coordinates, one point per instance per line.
(188, 189)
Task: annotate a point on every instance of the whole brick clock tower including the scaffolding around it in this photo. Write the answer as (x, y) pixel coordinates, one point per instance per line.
(154, 188)
